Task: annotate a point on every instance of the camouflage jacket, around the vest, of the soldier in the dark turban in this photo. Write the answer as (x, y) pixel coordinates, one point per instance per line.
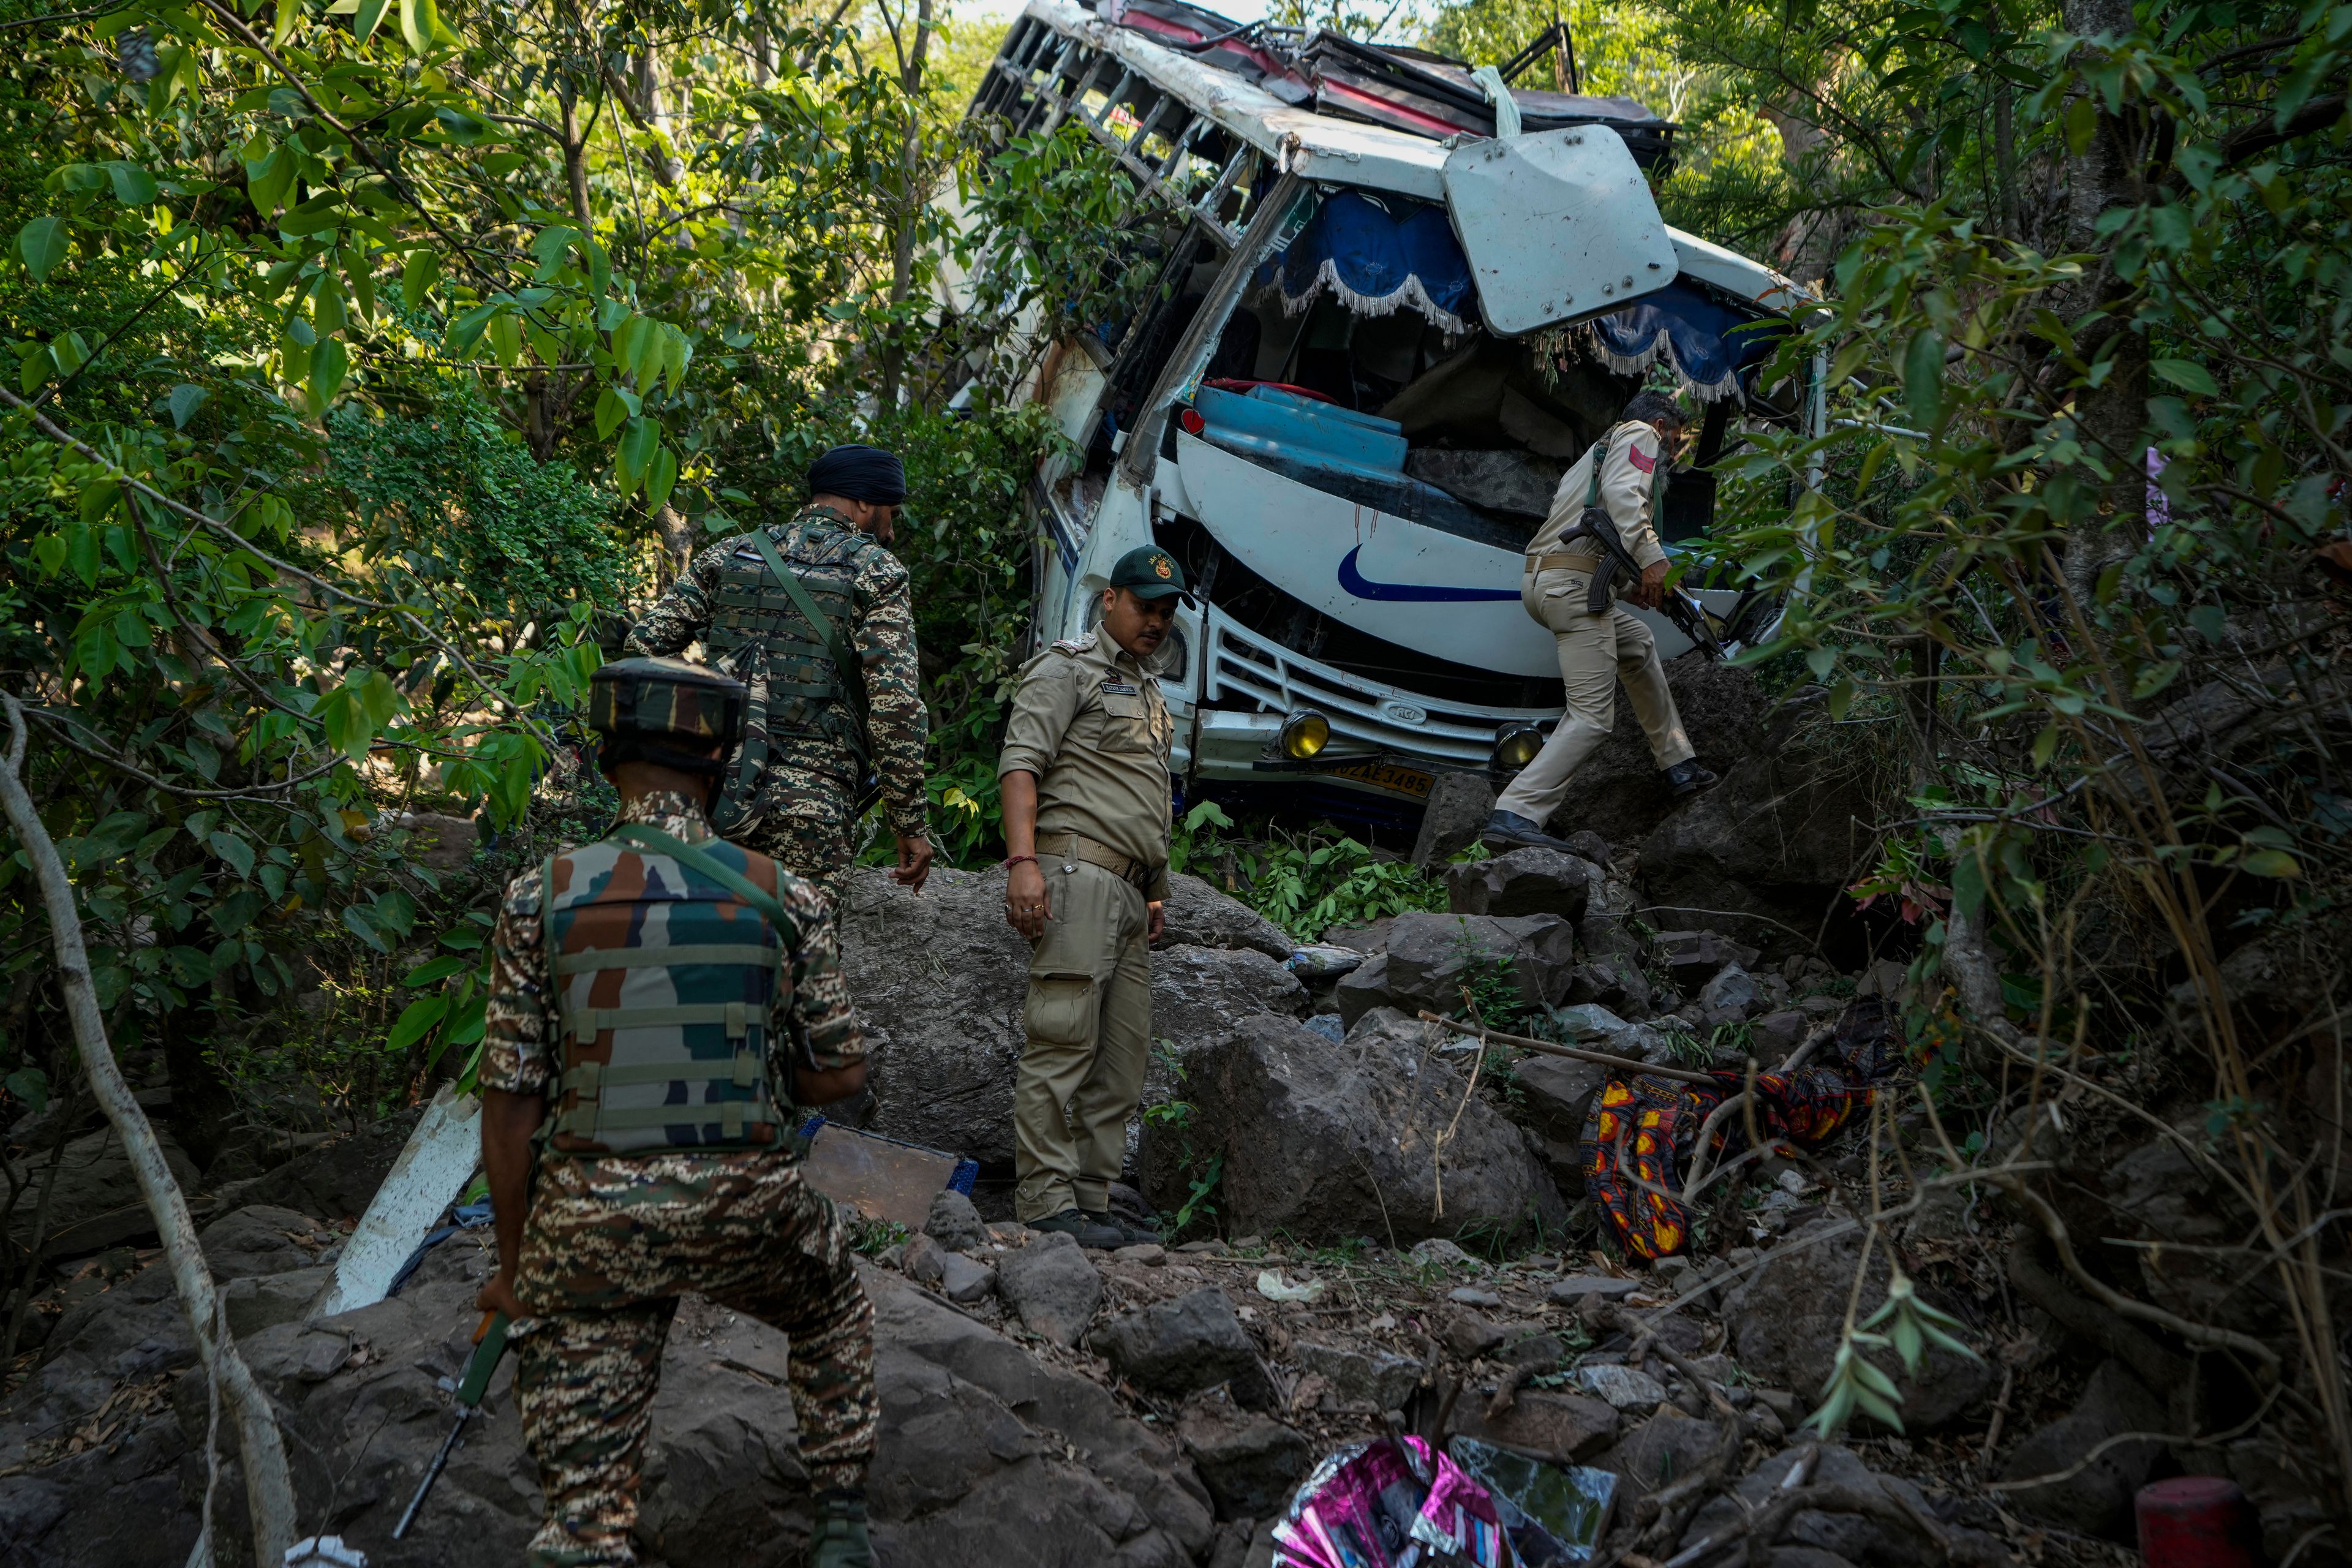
(881, 629)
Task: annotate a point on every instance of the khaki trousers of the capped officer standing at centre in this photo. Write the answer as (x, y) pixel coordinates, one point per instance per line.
(1090, 1024)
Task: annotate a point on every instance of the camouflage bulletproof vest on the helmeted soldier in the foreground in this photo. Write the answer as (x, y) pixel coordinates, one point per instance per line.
(664, 986)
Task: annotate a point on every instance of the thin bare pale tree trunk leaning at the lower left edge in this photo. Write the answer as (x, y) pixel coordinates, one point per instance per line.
(269, 1485)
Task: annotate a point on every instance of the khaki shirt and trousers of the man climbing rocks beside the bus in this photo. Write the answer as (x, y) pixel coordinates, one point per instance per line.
(1596, 652)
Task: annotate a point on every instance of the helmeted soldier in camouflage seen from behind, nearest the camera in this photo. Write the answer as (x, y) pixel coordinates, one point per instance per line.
(660, 1005)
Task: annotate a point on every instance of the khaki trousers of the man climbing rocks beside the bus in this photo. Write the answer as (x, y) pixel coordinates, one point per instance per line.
(1596, 655)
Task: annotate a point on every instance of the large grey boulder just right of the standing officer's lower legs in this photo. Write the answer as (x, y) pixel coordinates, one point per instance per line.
(1337, 1141)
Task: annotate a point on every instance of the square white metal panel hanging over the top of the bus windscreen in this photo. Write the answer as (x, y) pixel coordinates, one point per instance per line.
(1556, 227)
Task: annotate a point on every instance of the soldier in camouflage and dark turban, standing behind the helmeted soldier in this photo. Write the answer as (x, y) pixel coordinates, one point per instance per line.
(817, 732)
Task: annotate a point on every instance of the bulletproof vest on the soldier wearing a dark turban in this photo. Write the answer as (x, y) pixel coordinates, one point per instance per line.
(768, 643)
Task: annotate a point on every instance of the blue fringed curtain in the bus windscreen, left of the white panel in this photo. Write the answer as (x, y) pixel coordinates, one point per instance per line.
(1375, 260)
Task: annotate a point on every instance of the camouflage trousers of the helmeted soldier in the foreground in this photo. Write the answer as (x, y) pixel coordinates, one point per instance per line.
(608, 1249)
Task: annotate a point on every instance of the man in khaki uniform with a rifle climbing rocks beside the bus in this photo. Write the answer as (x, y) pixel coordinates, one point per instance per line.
(1615, 645)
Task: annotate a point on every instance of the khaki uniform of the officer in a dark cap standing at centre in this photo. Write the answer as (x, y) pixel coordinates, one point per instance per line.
(1093, 728)
